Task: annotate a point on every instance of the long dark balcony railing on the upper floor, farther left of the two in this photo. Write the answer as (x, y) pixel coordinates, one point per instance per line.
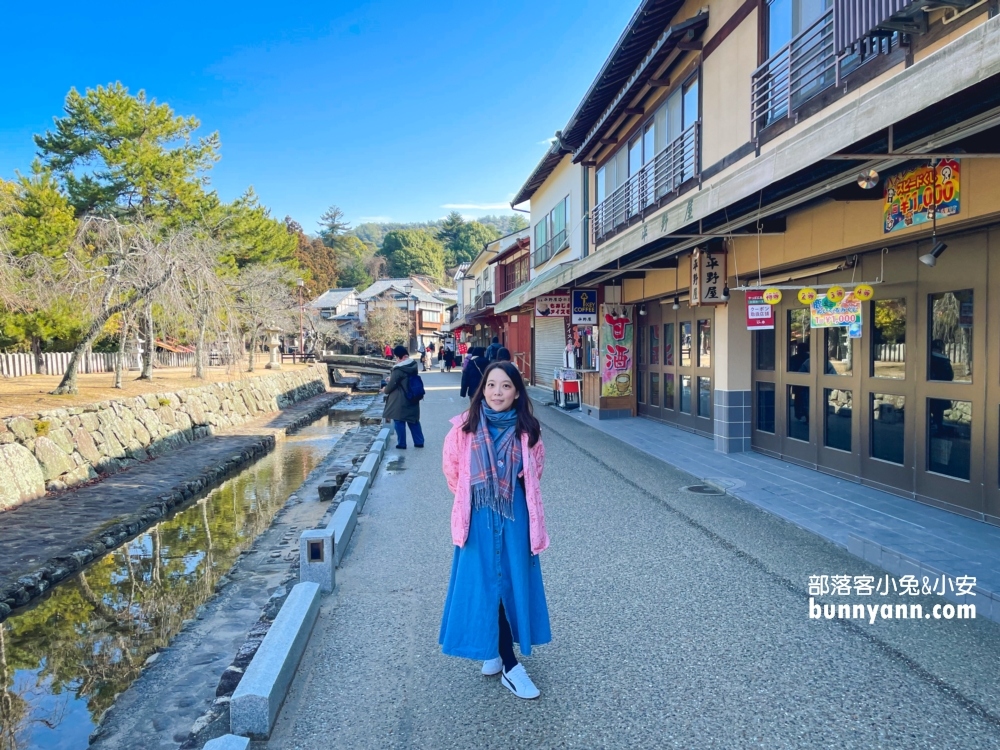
(663, 175)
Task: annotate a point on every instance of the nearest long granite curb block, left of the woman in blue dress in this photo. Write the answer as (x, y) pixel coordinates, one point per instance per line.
(258, 697)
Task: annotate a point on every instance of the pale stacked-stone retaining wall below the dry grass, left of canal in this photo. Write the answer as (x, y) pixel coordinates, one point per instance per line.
(56, 449)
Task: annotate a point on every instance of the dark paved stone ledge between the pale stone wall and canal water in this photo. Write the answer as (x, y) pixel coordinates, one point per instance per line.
(49, 539)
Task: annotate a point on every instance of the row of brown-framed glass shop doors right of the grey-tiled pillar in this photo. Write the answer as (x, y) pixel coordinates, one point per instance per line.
(905, 401)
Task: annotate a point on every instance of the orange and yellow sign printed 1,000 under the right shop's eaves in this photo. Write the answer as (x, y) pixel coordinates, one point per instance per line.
(913, 196)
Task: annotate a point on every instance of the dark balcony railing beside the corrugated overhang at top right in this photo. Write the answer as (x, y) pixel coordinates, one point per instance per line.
(794, 74)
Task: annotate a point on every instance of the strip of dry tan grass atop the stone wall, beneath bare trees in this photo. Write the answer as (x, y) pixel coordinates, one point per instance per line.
(30, 395)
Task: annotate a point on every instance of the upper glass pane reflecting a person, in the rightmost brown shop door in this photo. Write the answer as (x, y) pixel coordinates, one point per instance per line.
(949, 336)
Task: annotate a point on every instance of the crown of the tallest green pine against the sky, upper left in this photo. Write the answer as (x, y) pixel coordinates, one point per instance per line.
(117, 153)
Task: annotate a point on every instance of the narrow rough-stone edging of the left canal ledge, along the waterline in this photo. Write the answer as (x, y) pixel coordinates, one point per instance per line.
(25, 588)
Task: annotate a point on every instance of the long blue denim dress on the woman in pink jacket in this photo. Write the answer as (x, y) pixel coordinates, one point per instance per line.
(495, 565)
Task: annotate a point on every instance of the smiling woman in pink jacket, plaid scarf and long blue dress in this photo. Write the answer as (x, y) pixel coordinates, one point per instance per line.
(493, 460)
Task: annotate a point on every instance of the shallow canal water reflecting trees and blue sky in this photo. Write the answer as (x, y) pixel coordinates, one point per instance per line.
(63, 661)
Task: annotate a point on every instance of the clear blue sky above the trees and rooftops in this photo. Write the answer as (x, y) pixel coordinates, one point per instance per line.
(388, 109)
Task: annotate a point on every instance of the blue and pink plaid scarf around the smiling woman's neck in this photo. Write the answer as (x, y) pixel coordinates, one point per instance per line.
(493, 465)
